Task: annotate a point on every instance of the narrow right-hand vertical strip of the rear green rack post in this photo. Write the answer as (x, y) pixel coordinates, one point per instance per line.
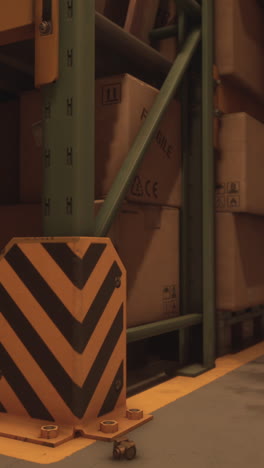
(208, 178)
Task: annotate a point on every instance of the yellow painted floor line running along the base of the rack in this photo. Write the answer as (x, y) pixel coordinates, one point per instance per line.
(150, 400)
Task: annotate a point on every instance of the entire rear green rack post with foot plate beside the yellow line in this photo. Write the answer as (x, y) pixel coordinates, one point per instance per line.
(199, 251)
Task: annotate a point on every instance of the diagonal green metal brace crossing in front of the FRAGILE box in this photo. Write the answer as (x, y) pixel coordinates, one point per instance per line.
(144, 137)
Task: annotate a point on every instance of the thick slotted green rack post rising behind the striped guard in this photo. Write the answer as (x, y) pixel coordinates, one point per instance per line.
(68, 198)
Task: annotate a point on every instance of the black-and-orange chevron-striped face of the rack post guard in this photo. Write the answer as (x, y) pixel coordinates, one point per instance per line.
(63, 329)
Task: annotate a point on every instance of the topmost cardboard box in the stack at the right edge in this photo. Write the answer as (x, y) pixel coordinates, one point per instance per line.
(239, 43)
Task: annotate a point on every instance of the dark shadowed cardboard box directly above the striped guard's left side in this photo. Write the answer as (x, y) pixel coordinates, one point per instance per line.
(20, 221)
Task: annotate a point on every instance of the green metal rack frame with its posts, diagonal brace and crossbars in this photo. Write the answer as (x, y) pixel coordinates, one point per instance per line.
(88, 44)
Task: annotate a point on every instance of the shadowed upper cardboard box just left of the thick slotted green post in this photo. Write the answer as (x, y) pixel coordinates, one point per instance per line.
(30, 151)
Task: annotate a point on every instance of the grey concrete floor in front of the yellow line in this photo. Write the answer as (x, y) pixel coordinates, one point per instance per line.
(220, 425)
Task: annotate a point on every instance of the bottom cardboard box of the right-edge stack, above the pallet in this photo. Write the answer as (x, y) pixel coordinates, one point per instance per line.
(239, 261)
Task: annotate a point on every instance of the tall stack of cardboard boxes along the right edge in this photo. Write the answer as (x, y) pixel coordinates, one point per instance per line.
(239, 44)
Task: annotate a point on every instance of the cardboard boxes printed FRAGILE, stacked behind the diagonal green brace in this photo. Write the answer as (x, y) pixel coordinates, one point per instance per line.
(146, 230)
